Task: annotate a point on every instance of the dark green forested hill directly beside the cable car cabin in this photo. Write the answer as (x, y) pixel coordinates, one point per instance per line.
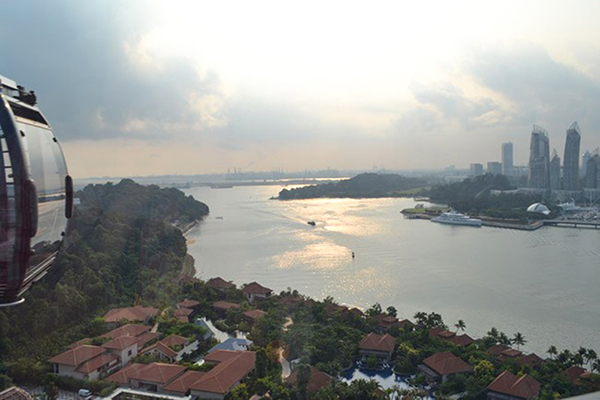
(121, 249)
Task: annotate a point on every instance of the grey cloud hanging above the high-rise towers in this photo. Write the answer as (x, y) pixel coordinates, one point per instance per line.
(540, 89)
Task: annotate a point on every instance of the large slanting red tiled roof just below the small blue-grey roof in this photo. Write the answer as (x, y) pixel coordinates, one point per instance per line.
(227, 373)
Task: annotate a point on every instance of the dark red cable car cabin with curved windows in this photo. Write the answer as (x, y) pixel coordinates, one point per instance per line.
(36, 193)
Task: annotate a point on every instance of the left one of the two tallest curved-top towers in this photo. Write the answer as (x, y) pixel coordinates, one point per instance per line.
(539, 159)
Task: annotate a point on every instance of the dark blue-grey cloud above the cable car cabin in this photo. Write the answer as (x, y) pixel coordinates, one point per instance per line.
(96, 80)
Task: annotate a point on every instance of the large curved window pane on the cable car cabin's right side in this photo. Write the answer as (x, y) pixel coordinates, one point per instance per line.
(48, 172)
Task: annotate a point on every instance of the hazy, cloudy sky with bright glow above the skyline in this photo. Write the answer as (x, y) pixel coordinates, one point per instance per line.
(142, 88)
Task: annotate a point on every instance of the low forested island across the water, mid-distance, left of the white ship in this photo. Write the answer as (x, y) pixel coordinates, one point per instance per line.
(369, 185)
